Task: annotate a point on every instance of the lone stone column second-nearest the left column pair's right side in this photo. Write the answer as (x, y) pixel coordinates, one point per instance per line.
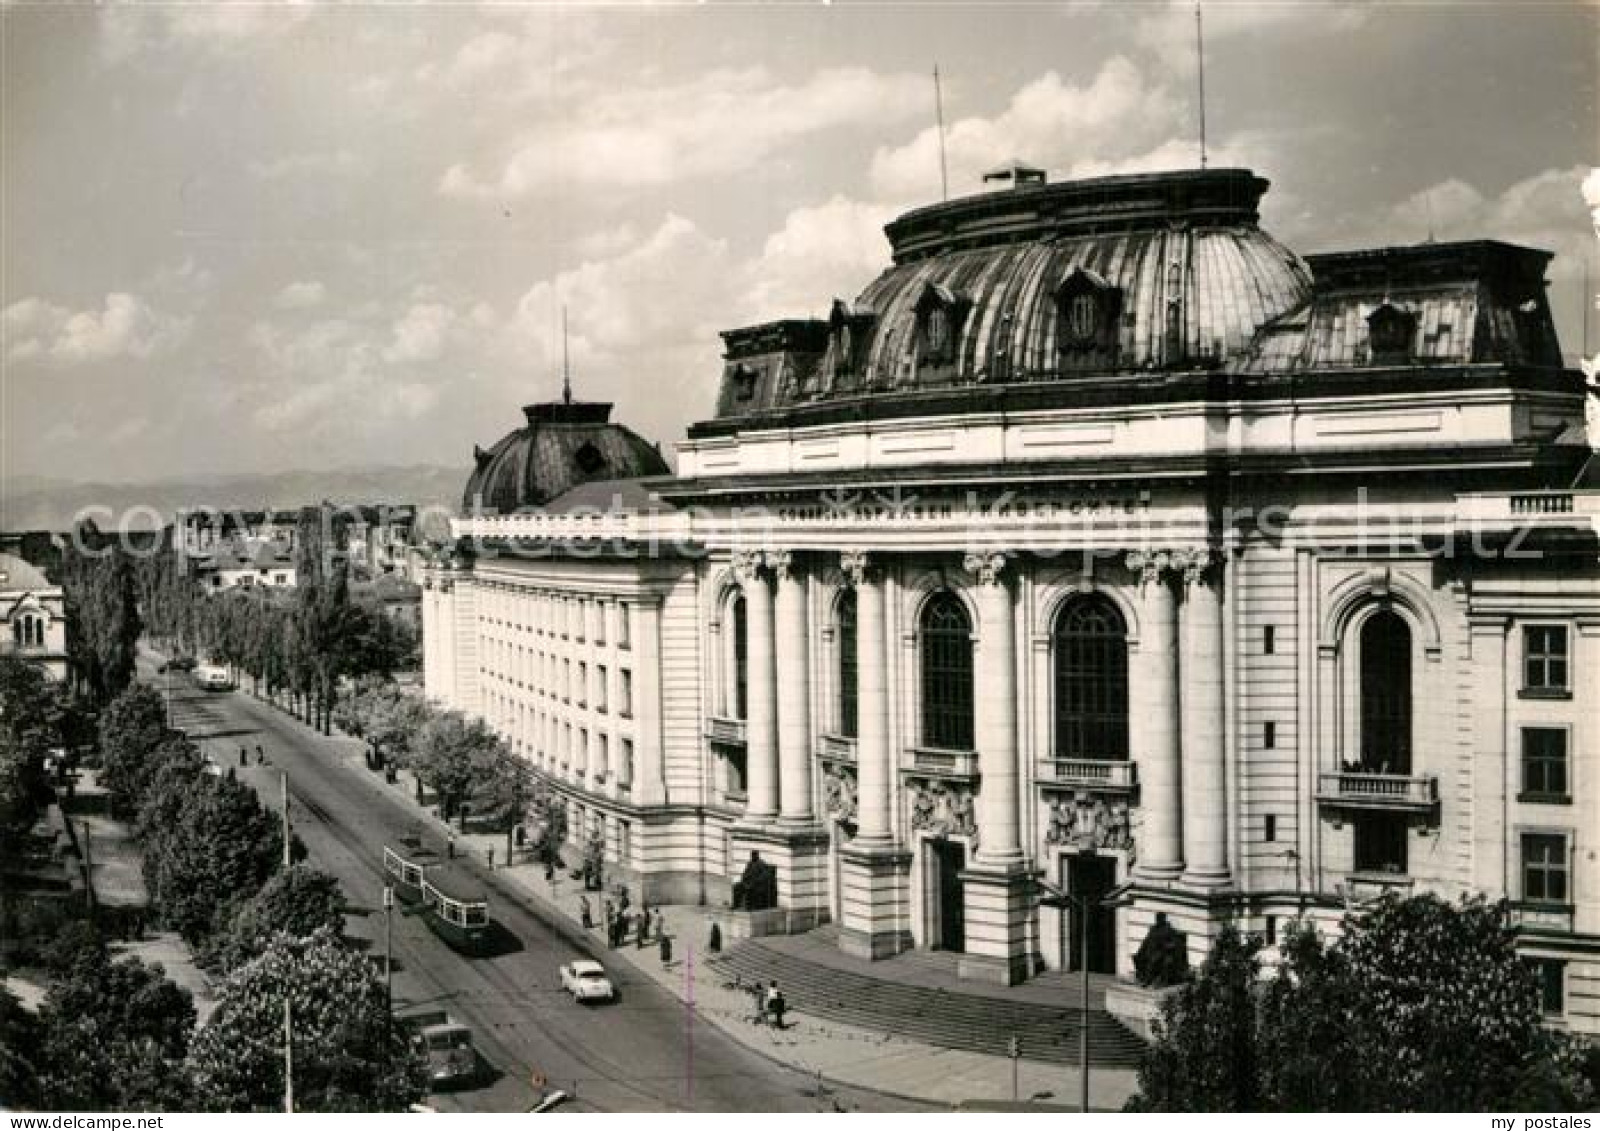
(874, 765)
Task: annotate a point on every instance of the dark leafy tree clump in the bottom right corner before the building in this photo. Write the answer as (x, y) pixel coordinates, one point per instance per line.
(1420, 1005)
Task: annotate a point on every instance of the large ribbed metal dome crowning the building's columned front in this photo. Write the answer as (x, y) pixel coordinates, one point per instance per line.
(1036, 284)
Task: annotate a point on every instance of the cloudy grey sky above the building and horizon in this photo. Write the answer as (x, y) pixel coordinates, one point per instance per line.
(246, 238)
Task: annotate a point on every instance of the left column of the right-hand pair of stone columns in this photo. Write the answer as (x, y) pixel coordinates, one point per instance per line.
(1154, 709)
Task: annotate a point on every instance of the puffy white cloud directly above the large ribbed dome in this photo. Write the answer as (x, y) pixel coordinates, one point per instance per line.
(1049, 122)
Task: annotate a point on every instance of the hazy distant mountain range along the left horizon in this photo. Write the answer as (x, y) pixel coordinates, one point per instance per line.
(39, 503)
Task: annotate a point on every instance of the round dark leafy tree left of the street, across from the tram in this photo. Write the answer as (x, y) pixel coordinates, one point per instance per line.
(209, 845)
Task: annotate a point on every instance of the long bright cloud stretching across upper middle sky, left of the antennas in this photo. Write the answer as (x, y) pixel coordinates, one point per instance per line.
(718, 124)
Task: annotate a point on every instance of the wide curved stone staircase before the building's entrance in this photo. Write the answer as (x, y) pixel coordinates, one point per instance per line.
(932, 1015)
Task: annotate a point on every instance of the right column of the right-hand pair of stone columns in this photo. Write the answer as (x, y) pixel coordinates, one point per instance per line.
(1204, 725)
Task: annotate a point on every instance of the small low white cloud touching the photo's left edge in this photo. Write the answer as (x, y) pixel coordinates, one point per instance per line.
(126, 327)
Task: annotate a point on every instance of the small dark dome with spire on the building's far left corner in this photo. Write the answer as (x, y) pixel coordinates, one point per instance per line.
(564, 446)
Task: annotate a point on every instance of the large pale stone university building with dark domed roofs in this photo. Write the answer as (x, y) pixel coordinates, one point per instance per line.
(1102, 545)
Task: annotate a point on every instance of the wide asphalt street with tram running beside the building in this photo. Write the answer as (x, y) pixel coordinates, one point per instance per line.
(646, 1052)
